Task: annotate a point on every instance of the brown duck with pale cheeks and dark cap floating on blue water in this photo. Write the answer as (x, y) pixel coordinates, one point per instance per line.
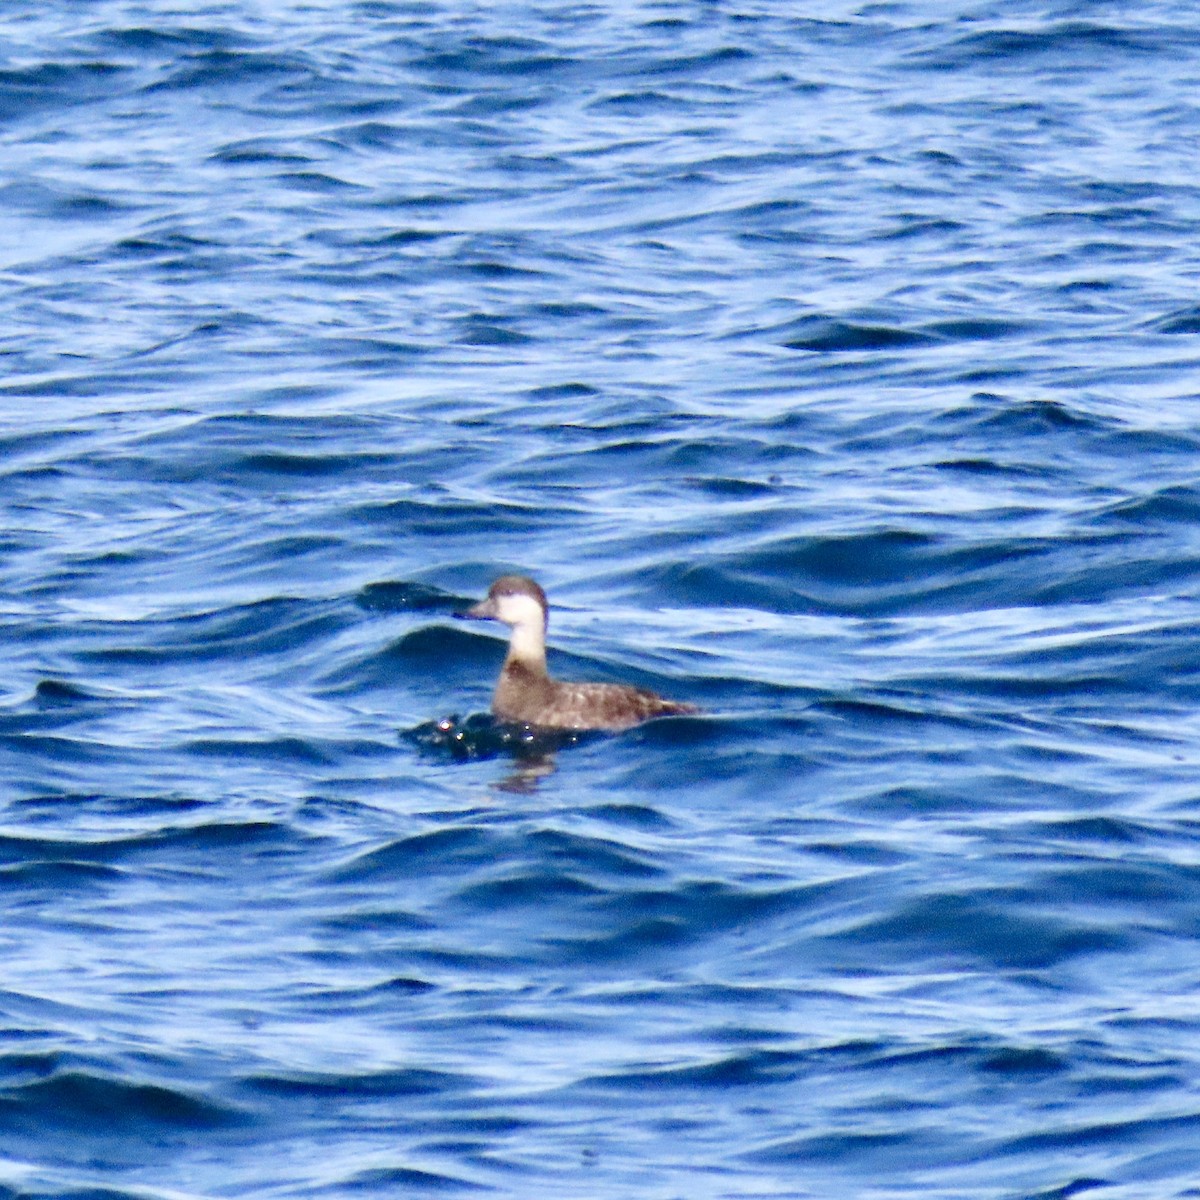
(526, 694)
